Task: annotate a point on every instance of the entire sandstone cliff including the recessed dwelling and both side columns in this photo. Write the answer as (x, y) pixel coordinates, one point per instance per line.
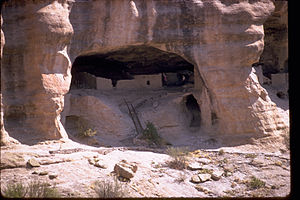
(180, 65)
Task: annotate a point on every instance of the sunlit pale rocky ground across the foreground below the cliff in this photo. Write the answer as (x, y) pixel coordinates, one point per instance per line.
(73, 170)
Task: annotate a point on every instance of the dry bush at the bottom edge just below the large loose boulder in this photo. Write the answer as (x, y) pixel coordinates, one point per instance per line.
(109, 189)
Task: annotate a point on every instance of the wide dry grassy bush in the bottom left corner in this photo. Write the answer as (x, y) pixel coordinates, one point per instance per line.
(35, 189)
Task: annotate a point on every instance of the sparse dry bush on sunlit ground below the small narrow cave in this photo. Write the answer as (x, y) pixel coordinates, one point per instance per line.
(179, 160)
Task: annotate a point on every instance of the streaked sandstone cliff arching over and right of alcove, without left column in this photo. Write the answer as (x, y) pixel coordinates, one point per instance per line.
(221, 38)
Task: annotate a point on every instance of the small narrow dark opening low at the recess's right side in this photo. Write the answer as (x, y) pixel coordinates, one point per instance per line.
(194, 110)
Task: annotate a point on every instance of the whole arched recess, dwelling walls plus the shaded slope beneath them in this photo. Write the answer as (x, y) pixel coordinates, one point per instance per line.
(159, 84)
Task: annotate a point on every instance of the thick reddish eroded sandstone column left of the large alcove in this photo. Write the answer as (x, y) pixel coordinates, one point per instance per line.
(36, 67)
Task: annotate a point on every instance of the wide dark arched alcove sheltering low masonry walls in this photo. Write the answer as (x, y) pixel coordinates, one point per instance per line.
(133, 67)
